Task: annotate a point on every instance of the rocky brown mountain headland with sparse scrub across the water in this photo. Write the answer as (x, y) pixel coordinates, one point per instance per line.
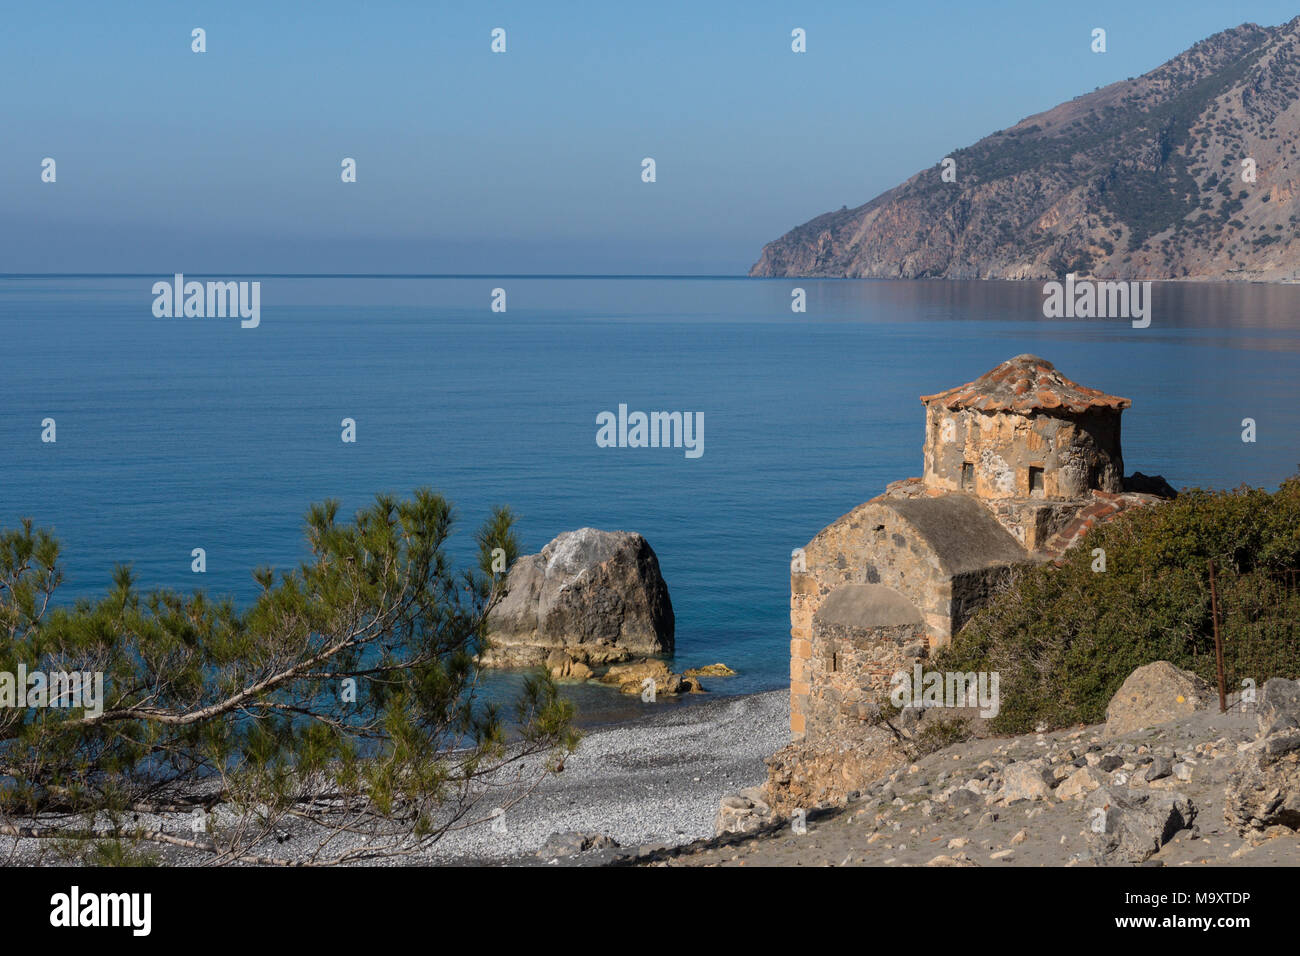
(1188, 172)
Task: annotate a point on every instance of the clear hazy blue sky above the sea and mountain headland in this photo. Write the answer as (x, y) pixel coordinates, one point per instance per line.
(526, 162)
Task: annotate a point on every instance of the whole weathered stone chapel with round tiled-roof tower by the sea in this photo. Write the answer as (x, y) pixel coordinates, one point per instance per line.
(1017, 466)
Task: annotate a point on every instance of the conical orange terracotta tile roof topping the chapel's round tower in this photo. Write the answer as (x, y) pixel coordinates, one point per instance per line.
(1026, 384)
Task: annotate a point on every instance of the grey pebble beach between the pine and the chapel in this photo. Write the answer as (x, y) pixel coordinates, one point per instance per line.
(652, 782)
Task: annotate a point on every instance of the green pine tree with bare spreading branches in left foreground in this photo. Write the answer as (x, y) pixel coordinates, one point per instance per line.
(343, 706)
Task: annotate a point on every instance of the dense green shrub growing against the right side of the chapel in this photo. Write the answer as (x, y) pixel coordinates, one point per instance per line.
(1065, 638)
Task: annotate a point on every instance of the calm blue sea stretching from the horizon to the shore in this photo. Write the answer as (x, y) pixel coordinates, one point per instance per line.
(180, 434)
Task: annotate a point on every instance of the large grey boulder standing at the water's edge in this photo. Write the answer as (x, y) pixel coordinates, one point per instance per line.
(597, 596)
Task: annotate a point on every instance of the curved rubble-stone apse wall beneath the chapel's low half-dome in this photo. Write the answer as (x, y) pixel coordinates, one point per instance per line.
(852, 668)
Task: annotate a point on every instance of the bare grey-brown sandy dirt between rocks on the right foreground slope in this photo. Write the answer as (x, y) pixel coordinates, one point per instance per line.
(907, 827)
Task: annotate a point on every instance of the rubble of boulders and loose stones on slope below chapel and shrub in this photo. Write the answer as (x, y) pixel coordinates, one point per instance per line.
(1132, 782)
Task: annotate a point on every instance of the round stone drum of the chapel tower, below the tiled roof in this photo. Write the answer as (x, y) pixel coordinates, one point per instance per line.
(1076, 453)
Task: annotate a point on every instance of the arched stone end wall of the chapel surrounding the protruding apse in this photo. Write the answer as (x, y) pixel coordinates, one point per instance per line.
(869, 546)
